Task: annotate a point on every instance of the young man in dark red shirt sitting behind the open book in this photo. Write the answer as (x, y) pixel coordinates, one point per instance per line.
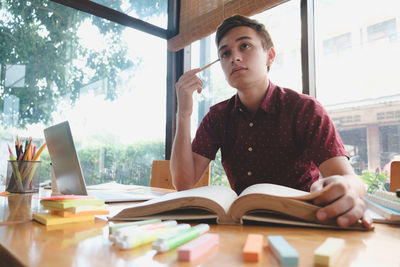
(267, 134)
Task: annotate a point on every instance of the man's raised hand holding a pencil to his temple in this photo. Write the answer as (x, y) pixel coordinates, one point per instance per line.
(186, 85)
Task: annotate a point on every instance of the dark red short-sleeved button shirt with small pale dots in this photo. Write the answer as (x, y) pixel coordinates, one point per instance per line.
(283, 143)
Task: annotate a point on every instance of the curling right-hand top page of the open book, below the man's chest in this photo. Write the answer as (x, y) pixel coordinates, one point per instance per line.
(280, 191)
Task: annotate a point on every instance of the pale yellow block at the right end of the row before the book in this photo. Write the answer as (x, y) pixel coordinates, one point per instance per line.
(329, 251)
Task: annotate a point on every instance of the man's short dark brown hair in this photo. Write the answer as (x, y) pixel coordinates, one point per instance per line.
(237, 21)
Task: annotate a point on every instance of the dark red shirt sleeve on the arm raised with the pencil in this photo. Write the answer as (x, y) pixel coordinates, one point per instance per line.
(207, 140)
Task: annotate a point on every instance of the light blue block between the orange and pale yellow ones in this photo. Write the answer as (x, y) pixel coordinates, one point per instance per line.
(286, 254)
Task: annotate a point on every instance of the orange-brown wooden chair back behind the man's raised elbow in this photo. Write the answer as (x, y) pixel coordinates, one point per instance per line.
(161, 175)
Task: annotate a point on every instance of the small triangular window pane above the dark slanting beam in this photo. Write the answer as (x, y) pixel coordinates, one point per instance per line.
(151, 11)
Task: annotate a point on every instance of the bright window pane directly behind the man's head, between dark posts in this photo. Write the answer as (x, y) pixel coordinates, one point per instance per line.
(283, 24)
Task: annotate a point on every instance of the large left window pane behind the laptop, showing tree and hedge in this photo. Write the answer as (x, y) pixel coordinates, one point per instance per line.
(107, 80)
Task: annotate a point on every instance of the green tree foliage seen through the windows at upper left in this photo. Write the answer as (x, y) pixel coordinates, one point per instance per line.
(43, 36)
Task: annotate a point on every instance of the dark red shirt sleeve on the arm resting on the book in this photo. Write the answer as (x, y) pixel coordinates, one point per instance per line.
(318, 133)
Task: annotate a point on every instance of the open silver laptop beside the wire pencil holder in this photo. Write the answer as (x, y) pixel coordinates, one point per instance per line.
(68, 172)
